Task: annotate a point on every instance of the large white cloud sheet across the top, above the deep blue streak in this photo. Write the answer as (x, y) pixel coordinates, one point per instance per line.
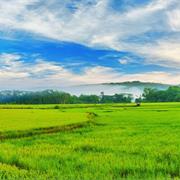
(93, 25)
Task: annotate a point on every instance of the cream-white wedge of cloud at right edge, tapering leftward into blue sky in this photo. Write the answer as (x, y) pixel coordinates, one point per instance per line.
(164, 53)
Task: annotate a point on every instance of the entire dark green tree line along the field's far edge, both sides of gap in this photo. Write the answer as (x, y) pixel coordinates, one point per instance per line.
(172, 94)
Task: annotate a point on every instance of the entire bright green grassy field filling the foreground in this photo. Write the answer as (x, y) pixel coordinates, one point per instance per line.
(122, 142)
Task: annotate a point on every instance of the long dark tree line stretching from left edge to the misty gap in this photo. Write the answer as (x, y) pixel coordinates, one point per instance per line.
(58, 97)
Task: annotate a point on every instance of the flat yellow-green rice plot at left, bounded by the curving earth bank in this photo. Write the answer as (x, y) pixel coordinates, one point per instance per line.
(22, 119)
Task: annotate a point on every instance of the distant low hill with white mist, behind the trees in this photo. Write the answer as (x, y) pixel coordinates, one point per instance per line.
(135, 87)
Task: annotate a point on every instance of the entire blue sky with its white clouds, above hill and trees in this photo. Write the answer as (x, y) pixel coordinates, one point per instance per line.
(51, 44)
